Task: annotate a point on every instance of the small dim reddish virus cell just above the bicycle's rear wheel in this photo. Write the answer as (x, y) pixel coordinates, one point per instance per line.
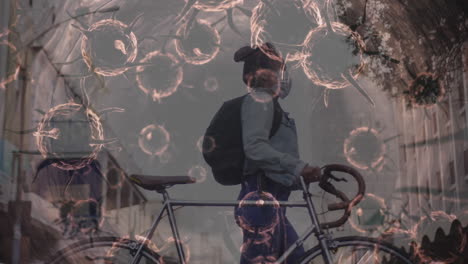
(85, 217)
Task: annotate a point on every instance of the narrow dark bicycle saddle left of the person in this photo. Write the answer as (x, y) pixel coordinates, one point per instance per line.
(159, 182)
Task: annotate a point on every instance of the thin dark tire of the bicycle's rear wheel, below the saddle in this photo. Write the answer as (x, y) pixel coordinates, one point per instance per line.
(74, 253)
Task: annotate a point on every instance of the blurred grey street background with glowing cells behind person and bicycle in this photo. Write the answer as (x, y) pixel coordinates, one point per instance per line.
(93, 91)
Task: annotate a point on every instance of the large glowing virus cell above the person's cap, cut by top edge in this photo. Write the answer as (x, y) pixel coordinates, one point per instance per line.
(284, 24)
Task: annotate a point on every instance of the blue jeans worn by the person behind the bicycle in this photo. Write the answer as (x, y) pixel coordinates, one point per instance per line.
(267, 233)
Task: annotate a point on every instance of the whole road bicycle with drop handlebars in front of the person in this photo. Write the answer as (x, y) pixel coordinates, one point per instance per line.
(352, 249)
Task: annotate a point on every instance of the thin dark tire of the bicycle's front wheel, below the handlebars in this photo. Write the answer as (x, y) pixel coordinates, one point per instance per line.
(394, 255)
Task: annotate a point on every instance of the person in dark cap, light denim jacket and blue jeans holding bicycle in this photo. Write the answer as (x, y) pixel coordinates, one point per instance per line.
(272, 165)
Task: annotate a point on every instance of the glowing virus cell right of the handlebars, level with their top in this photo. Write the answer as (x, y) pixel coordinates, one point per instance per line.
(364, 149)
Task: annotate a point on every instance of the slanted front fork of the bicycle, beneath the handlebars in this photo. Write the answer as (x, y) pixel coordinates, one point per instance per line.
(321, 237)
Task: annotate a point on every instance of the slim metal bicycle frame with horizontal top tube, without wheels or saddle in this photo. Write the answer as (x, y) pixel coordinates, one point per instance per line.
(169, 203)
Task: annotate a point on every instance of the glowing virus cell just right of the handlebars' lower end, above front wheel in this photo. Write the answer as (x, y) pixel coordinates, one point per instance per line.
(370, 215)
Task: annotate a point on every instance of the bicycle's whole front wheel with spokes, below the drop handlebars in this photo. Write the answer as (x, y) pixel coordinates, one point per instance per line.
(358, 250)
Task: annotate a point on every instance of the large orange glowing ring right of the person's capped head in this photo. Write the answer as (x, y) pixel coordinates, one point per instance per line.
(327, 55)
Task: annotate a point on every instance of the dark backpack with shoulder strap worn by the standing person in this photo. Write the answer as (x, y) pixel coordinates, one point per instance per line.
(222, 144)
